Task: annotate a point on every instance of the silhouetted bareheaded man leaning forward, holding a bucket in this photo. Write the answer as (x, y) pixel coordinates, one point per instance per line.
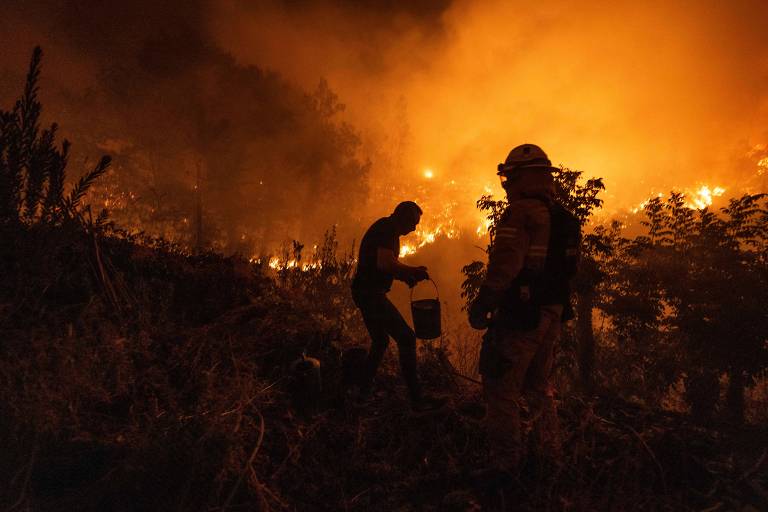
(377, 267)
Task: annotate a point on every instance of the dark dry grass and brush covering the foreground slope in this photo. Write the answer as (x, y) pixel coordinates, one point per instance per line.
(179, 399)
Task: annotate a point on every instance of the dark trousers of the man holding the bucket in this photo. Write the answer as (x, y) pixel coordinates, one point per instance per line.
(382, 319)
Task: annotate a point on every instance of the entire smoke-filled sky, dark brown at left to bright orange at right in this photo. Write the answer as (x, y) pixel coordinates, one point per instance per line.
(649, 95)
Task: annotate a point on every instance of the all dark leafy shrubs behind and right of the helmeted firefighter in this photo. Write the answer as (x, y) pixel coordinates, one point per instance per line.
(683, 300)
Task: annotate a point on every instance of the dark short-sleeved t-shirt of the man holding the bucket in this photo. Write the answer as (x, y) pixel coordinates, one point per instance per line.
(368, 278)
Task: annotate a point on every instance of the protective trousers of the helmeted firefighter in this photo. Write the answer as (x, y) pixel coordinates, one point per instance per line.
(528, 357)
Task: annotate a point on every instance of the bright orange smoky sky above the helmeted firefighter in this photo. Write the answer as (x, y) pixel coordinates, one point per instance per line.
(648, 95)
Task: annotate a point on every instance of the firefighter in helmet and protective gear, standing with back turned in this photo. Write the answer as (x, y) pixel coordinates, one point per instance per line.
(523, 302)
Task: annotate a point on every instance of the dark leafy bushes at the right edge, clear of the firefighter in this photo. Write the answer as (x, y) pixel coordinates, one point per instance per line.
(687, 299)
